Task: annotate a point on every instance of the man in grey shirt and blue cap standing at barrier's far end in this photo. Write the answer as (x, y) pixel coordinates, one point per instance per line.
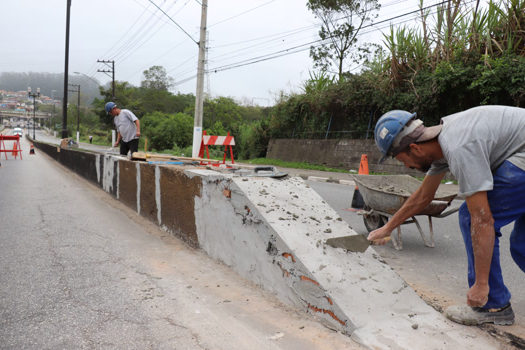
(128, 128)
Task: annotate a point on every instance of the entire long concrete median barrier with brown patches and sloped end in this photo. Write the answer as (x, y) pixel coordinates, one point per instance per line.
(274, 232)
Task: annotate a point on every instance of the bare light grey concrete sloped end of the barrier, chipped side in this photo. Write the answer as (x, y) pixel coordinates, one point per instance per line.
(273, 232)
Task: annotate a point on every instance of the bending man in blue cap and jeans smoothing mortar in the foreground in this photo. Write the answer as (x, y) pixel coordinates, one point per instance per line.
(484, 148)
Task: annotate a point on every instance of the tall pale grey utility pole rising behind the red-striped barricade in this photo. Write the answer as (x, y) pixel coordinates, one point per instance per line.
(199, 98)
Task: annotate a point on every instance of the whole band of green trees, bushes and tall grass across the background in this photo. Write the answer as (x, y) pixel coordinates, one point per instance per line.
(457, 57)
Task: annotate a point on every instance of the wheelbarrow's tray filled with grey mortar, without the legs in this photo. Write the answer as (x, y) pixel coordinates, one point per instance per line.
(387, 193)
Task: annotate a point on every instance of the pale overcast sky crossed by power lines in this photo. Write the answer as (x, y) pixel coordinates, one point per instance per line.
(136, 35)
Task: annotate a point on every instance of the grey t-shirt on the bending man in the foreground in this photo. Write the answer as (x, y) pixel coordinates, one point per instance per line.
(475, 142)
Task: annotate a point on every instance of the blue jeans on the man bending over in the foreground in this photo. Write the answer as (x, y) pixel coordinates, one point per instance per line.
(507, 203)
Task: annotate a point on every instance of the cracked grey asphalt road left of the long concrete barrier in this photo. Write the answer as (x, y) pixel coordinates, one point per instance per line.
(82, 271)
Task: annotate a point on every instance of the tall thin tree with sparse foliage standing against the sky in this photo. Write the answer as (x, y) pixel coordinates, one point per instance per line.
(341, 22)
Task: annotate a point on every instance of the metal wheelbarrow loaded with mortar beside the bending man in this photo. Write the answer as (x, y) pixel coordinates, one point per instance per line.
(384, 195)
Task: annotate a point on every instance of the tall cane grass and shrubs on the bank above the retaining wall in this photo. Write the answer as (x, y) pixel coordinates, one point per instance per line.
(458, 58)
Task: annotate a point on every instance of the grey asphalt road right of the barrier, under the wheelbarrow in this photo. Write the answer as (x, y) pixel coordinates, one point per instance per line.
(439, 273)
